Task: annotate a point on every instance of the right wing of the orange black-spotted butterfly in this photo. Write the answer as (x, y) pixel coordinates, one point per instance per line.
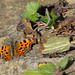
(23, 46)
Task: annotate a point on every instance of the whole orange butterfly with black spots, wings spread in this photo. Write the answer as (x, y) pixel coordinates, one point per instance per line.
(8, 52)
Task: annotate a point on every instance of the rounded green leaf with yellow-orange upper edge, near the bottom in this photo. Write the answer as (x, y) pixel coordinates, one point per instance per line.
(46, 67)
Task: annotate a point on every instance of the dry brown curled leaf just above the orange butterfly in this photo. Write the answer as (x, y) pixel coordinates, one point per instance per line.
(28, 30)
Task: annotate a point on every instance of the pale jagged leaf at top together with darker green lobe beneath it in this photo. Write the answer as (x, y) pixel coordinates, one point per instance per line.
(30, 12)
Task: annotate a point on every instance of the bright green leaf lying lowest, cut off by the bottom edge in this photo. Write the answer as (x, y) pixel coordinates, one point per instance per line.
(32, 72)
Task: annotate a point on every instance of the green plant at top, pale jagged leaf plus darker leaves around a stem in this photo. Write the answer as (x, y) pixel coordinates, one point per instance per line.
(31, 14)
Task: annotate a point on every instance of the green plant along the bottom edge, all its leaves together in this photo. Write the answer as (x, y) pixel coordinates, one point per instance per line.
(49, 69)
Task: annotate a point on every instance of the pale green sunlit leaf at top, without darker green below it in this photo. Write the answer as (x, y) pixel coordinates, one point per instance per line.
(31, 9)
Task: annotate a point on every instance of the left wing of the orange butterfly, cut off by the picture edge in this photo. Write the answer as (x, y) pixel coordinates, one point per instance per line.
(4, 53)
